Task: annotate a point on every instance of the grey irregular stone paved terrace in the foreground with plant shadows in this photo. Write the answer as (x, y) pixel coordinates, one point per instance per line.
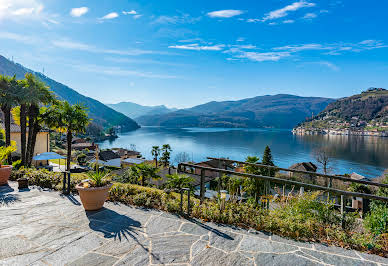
(45, 228)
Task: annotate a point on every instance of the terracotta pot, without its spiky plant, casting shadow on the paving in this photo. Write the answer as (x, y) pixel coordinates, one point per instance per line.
(93, 198)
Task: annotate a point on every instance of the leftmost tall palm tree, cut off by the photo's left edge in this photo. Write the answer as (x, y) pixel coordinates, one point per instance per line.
(8, 87)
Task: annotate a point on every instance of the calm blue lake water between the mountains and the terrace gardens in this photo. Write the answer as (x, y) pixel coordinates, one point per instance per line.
(365, 155)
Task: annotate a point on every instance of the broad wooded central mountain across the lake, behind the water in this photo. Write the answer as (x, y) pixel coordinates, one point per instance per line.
(278, 111)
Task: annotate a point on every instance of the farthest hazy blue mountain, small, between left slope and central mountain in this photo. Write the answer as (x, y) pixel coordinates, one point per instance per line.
(135, 110)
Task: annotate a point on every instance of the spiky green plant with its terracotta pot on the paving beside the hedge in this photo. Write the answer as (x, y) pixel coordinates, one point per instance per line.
(94, 191)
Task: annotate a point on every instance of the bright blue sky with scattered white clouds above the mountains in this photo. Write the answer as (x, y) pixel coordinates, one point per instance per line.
(183, 53)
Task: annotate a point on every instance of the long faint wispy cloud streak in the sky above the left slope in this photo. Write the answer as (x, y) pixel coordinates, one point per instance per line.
(71, 45)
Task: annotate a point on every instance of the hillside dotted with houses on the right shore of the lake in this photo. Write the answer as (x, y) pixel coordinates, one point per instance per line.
(367, 111)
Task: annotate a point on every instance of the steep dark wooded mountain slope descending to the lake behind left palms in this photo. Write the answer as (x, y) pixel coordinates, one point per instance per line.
(100, 113)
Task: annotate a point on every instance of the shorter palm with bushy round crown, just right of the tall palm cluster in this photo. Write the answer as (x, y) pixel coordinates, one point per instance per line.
(72, 119)
